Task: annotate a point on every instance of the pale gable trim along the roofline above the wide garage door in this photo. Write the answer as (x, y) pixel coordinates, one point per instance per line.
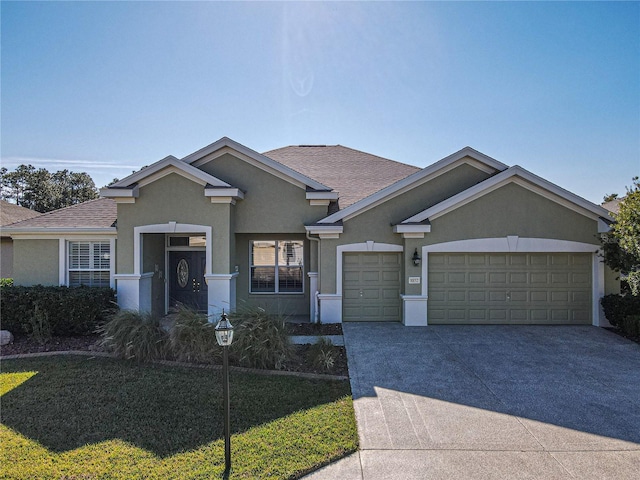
(522, 177)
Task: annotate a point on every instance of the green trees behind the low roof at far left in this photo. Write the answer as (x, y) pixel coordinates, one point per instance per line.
(40, 190)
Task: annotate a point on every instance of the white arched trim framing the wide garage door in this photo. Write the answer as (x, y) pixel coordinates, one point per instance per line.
(515, 244)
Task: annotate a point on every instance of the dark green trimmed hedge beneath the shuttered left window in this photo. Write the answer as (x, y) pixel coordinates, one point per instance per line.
(69, 310)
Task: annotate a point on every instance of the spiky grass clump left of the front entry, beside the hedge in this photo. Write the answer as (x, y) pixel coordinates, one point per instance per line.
(135, 335)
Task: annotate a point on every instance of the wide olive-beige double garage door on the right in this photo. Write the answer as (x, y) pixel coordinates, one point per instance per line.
(509, 288)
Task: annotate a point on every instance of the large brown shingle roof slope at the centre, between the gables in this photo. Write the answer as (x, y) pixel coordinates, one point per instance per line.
(352, 173)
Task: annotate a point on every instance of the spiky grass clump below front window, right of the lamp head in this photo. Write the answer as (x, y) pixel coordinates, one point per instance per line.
(260, 339)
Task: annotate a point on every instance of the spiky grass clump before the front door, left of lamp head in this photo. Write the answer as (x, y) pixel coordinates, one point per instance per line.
(193, 338)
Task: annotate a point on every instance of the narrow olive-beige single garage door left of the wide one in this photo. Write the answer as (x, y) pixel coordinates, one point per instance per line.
(371, 287)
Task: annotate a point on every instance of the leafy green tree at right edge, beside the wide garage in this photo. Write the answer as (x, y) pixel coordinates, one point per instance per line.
(621, 246)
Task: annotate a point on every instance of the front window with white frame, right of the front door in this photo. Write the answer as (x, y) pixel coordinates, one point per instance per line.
(277, 266)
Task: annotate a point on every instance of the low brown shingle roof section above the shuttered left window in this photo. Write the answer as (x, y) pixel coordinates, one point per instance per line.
(99, 213)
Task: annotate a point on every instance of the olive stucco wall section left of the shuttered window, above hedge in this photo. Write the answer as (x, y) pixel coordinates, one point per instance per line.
(37, 262)
